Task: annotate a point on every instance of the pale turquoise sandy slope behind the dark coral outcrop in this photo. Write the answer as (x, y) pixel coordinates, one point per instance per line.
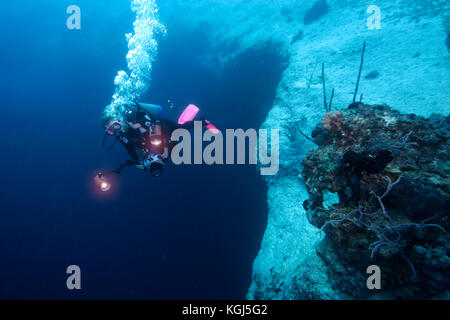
(407, 66)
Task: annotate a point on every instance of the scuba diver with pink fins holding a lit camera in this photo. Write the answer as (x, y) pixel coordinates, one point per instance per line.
(145, 134)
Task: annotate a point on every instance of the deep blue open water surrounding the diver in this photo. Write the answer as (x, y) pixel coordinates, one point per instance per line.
(192, 234)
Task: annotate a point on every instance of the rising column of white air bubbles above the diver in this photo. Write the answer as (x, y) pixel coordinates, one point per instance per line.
(142, 50)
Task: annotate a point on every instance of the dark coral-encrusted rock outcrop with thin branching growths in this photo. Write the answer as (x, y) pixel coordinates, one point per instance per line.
(391, 175)
